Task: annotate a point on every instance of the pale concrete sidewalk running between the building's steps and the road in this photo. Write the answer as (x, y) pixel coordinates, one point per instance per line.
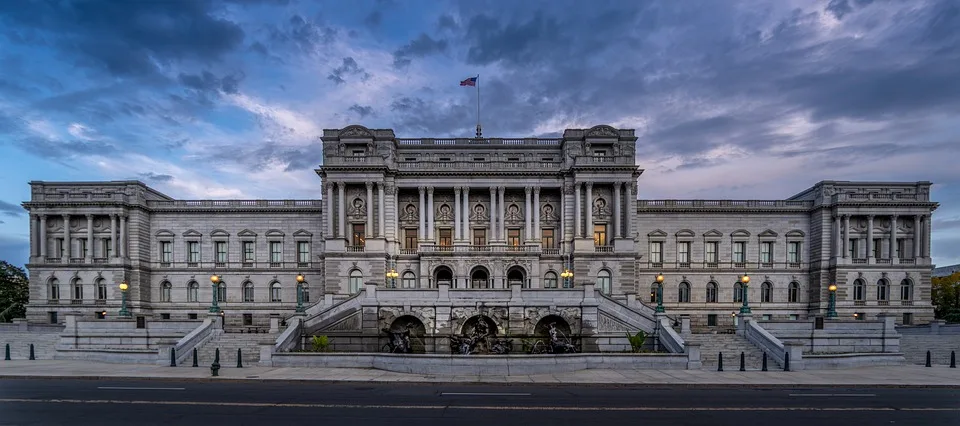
(902, 376)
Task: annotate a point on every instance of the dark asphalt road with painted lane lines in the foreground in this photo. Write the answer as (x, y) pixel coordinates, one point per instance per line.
(101, 402)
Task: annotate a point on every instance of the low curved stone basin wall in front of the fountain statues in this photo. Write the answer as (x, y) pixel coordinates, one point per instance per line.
(482, 365)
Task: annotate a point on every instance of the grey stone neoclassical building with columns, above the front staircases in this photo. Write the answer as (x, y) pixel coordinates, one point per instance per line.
(486, 213)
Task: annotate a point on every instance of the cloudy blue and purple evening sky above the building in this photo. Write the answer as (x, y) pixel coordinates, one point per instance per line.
(737, 99)
